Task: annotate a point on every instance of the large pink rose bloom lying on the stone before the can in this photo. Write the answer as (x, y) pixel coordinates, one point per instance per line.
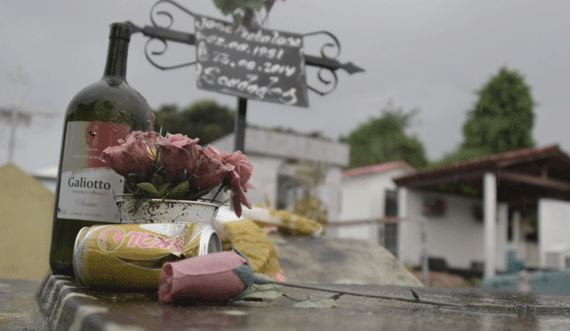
(218, 277)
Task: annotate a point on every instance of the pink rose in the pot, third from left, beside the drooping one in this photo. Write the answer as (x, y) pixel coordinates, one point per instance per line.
(210, 171)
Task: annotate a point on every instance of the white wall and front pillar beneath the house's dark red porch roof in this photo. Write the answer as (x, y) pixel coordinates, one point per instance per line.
(456, 236)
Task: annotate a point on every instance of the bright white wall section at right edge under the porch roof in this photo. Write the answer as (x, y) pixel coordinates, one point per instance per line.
(553, 226)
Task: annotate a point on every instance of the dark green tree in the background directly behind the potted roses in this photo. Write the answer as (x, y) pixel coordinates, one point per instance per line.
(203, 119)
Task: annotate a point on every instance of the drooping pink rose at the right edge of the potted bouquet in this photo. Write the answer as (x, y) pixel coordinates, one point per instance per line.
(239, 178)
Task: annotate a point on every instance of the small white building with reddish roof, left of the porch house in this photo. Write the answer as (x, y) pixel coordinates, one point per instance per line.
(369, 204)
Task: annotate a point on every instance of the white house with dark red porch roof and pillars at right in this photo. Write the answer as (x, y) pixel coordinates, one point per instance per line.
(466, 210)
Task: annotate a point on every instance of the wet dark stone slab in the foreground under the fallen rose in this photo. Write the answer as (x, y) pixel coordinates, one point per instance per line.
(68, 306)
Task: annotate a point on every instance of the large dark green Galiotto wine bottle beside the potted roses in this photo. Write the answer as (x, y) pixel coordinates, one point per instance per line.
(97, 117)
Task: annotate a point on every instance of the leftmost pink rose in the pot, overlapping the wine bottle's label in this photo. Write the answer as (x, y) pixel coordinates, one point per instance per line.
(132, 155)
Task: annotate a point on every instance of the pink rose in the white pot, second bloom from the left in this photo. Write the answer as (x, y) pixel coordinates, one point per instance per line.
(178, 152)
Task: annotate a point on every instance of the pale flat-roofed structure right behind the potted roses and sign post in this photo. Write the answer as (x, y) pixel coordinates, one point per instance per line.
(285, 164)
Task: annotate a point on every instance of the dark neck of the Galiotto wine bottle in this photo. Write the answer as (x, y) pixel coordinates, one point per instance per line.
(117, 53)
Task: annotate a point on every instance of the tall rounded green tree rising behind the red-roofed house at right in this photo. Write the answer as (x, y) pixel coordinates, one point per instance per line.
(500, 121)
